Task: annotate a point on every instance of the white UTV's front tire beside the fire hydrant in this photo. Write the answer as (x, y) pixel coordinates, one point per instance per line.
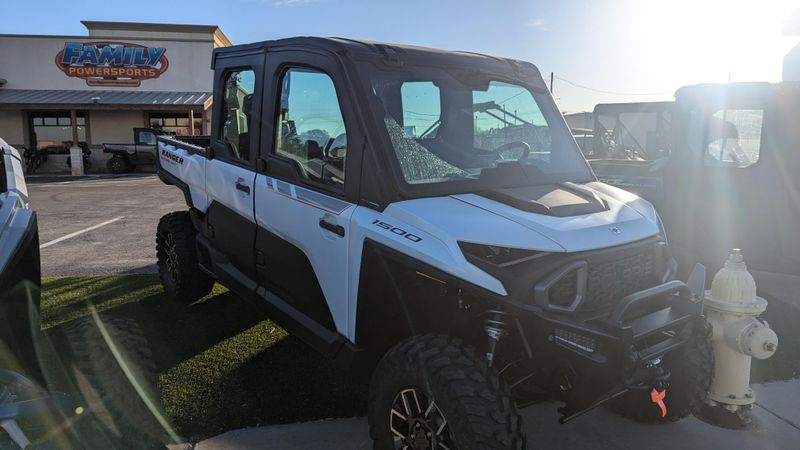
(691, 373)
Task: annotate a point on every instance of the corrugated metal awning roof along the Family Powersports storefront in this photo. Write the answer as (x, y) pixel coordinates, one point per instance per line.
(87, 97)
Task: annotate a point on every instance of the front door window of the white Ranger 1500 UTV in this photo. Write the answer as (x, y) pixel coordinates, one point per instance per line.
(310, 128)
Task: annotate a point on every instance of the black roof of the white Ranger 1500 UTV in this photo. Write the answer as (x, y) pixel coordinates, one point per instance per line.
(386, 51)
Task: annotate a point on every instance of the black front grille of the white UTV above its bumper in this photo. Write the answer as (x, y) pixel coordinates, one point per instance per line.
(597, 285)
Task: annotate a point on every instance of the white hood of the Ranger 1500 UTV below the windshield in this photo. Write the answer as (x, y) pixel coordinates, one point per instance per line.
(619, 218)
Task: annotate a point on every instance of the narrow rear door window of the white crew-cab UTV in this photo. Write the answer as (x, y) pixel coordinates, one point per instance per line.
(237, 100)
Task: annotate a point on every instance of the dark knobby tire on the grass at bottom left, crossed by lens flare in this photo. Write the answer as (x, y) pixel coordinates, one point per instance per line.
(115, 414)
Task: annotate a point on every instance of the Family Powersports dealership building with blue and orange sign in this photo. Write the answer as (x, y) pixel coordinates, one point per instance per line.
(101, 86)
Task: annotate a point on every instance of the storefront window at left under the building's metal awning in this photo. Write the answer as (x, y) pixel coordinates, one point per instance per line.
(52, 131)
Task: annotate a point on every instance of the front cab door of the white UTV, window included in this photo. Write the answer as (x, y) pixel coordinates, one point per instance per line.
(306, 193)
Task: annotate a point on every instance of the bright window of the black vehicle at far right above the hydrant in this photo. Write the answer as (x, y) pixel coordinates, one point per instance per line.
(734, 137)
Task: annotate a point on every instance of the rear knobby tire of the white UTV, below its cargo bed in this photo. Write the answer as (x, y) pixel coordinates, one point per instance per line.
(178, 267)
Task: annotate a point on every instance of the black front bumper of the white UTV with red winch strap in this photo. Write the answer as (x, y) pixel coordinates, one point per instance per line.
(597, 360)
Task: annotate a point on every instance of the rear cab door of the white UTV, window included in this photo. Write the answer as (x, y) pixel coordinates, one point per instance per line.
(230, 175)
